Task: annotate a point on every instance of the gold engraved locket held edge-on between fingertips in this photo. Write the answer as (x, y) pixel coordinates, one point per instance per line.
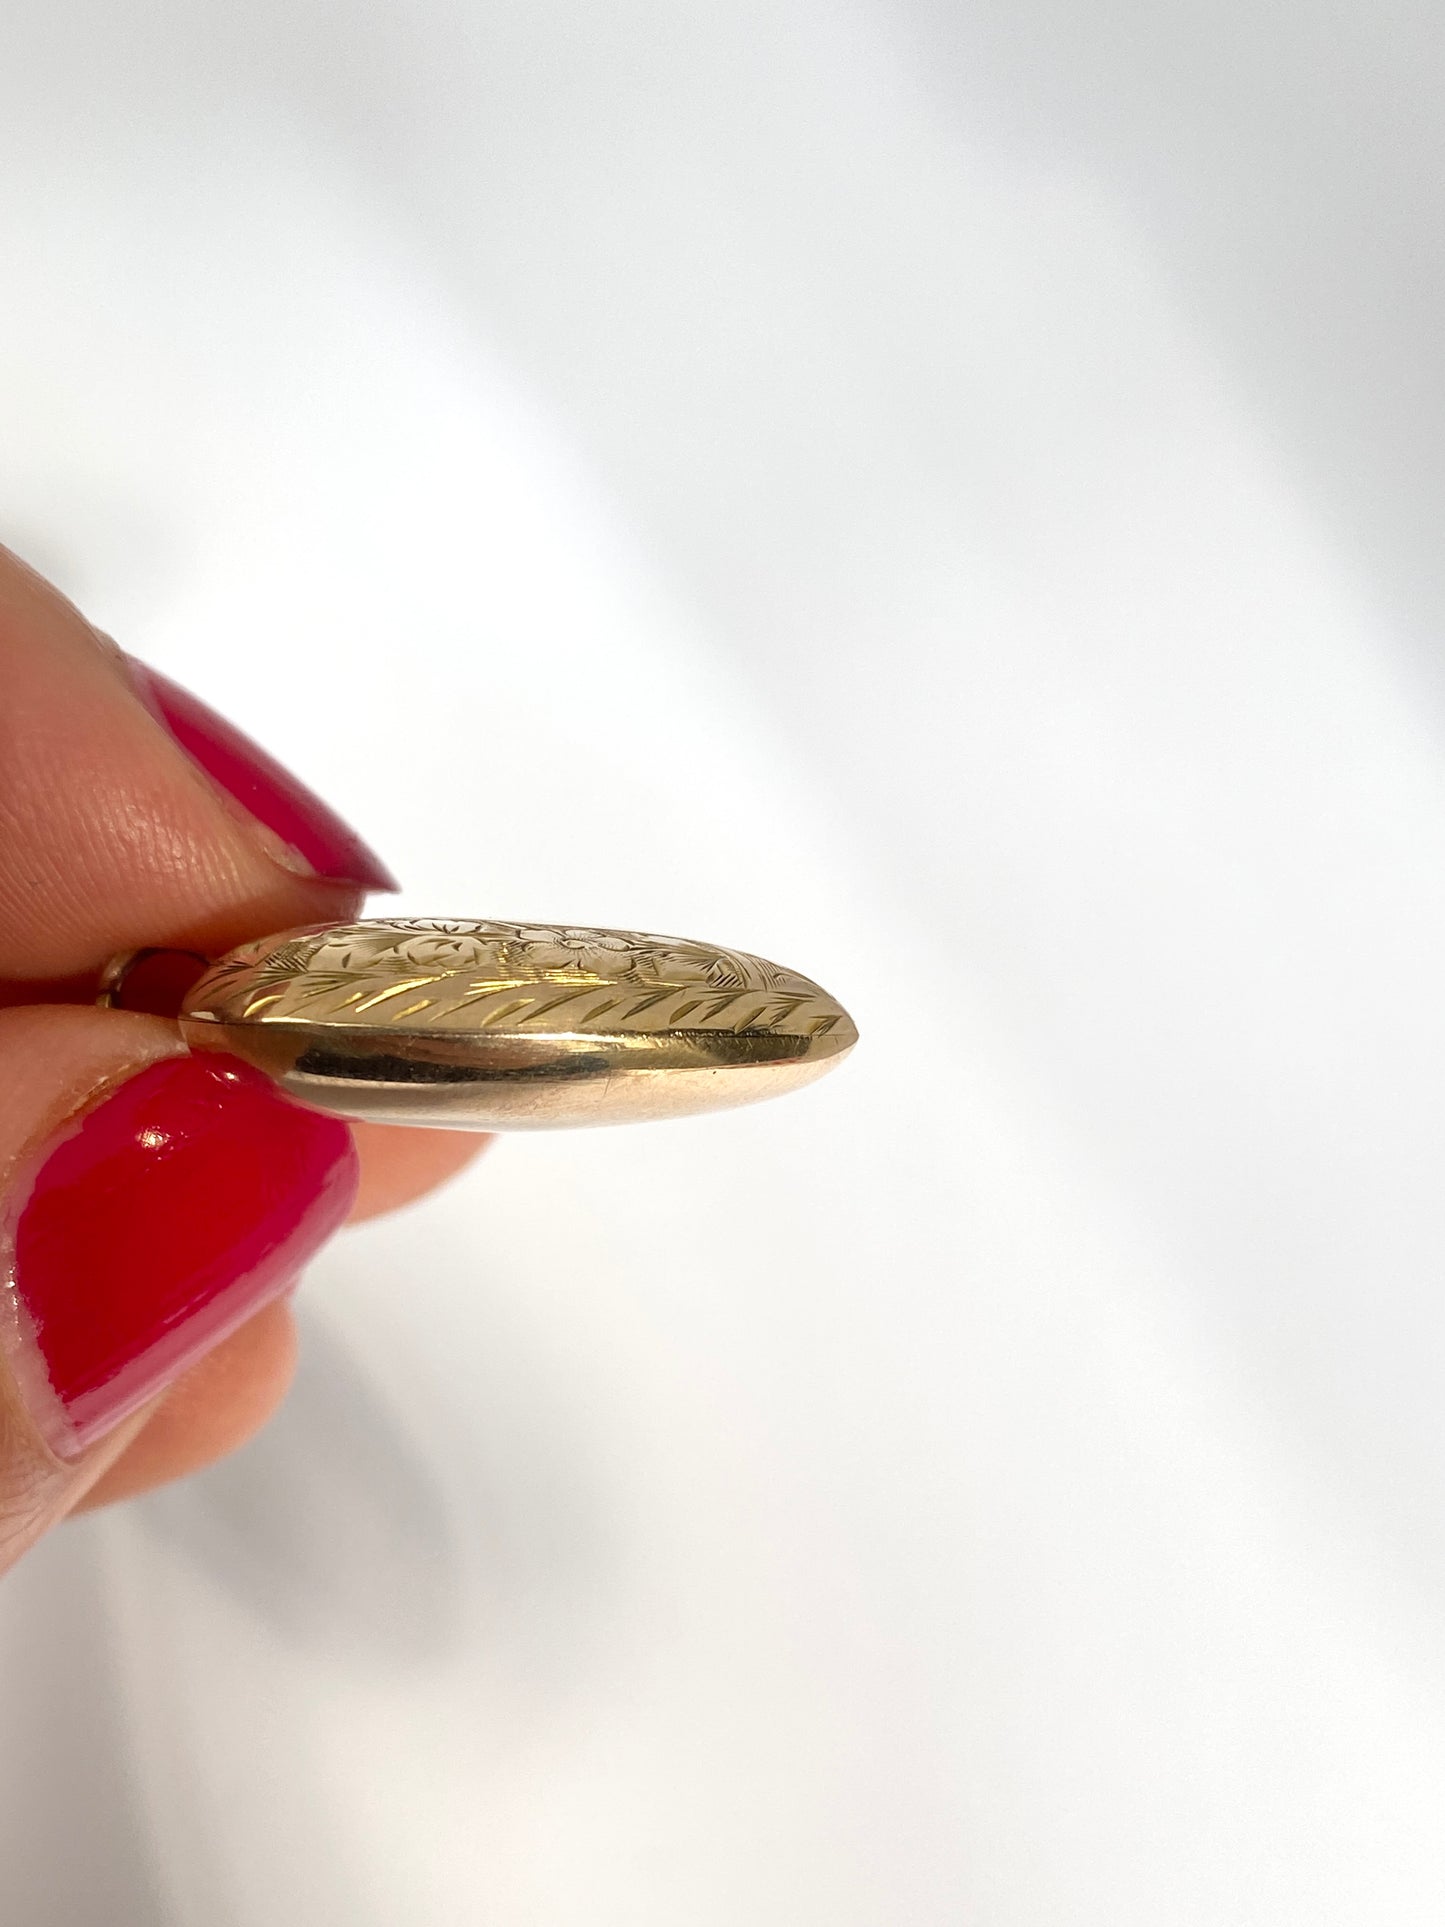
(510, 1026)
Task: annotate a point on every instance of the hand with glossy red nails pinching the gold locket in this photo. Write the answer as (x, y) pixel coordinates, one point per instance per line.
(155, 1209)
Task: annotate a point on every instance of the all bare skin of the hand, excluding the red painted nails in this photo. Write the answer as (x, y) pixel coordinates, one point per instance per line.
(111, 839)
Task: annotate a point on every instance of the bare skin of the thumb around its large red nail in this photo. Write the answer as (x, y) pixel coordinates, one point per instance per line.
(51, 1063)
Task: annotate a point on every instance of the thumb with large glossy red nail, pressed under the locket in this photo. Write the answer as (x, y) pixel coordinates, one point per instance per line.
(149, 1205)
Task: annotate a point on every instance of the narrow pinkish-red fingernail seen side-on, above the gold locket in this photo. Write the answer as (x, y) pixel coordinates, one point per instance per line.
(261, 785)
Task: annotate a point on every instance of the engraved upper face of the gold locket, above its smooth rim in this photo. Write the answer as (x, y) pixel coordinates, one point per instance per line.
(537, 978)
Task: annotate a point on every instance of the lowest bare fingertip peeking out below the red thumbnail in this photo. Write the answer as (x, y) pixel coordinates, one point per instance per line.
(209, 1412)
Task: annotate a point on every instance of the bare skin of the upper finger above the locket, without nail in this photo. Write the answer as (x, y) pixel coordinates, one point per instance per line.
(111, 837)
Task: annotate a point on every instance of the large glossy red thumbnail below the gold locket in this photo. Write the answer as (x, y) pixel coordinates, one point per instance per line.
(153, 1227)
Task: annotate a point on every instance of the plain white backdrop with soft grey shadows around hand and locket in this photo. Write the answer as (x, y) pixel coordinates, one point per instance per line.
(947, 496)
